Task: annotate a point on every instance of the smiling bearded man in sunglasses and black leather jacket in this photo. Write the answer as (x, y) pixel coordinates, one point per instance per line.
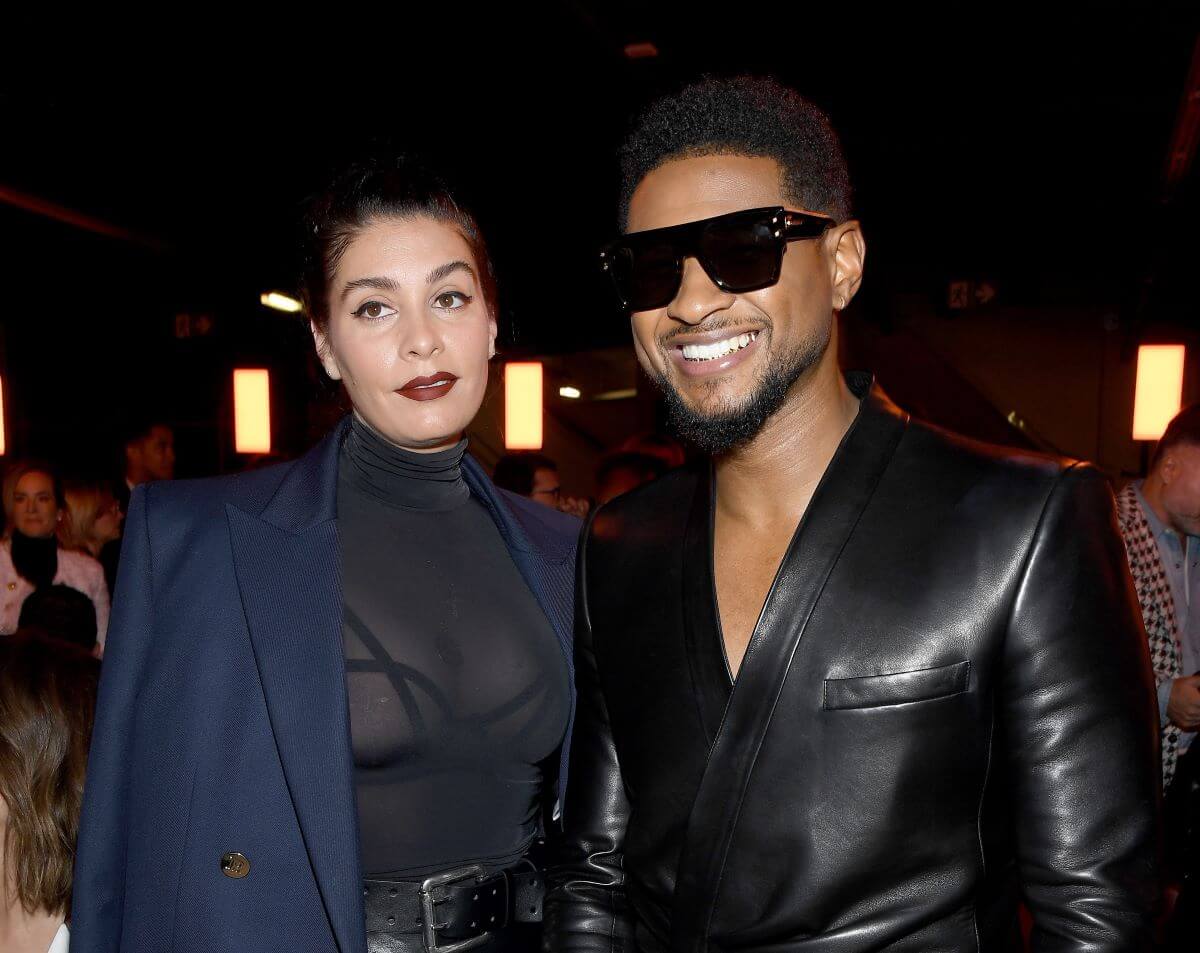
(857, 681)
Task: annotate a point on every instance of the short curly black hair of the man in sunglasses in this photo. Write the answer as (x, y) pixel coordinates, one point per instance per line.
(747, 117)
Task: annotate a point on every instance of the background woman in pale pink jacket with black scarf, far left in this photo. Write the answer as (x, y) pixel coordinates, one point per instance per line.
(31, 554)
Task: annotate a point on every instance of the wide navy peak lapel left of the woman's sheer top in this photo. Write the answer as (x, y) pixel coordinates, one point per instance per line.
(289, 570)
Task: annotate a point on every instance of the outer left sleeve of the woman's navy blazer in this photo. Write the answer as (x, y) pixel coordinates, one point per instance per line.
(99, 900)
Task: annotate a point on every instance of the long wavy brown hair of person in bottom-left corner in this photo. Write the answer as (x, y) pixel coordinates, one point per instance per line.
(47, 700)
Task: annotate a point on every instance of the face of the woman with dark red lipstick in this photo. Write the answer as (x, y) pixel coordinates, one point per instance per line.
(410, 334)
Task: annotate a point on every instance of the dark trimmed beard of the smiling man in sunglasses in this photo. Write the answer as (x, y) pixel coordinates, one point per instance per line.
(735, 423)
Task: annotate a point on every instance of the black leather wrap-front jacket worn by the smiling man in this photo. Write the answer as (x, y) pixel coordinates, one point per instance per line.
(947, 698)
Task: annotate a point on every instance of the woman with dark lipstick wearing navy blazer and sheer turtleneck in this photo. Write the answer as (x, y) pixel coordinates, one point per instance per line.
(338, 680)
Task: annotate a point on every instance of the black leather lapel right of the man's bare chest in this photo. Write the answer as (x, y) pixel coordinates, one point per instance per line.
(827, 525)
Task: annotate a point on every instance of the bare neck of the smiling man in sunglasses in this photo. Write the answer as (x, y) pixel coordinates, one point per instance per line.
(775, 476)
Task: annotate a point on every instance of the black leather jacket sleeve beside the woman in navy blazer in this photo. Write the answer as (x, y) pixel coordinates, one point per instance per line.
(586, 907)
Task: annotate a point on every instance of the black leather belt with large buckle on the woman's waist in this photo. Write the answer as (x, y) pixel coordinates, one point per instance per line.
(459, 910)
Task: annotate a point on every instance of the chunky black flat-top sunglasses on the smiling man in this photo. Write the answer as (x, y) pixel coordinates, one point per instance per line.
(741, 251)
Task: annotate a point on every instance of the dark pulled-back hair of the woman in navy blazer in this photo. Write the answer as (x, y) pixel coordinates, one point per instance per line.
(369, 191)
